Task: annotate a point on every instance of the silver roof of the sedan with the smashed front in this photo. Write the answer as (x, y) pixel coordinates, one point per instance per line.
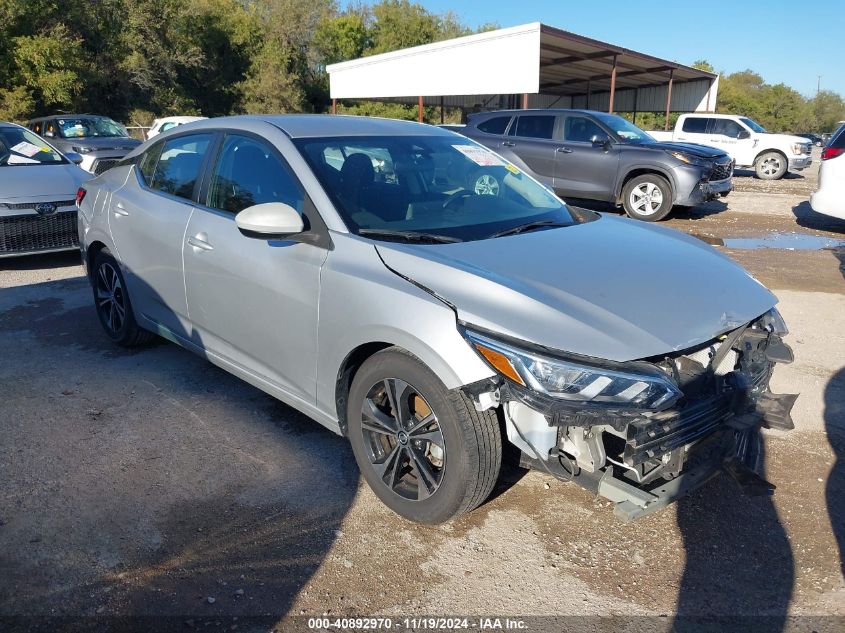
(328, 125)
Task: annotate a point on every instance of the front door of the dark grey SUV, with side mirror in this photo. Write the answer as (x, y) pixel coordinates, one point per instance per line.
(584, 169)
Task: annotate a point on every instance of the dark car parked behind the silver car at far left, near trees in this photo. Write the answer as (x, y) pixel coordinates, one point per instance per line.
(101, 141)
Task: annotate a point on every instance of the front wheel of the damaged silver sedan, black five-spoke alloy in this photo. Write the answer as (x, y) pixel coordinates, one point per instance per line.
(422, 448)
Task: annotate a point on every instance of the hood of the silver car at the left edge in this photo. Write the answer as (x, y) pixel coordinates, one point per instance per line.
(48, 182)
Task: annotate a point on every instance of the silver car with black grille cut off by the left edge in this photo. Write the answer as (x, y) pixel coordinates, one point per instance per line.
(38, 187)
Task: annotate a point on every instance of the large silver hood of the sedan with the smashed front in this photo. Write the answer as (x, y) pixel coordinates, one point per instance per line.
(614, 288)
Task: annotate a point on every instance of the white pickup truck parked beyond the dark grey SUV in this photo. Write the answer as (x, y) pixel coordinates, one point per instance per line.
(745, 140)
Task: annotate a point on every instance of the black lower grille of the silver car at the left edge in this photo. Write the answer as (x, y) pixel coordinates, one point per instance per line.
(30, 233)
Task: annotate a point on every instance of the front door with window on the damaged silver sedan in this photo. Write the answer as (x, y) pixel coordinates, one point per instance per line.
(253, 302)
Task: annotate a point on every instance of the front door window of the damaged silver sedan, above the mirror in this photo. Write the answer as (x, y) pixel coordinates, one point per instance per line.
(248, 172)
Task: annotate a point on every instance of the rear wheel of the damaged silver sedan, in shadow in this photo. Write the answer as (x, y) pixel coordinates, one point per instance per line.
(111, 300)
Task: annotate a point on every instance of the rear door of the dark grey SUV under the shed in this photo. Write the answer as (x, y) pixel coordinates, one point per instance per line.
(531, 141)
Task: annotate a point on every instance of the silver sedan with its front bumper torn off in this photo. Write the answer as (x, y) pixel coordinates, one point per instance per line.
(413, 313)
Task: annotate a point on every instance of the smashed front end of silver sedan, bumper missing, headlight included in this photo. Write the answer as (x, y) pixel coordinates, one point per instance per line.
(642, 434)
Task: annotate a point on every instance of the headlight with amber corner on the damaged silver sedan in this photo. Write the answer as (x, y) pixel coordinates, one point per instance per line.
(645, 388)
